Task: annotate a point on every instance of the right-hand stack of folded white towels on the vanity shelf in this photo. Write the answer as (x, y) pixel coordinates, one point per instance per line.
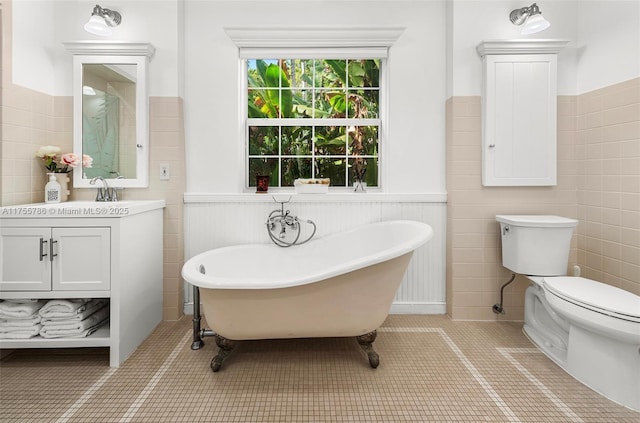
(73, 318)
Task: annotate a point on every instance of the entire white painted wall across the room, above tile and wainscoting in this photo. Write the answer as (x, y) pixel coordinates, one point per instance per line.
(604, 49)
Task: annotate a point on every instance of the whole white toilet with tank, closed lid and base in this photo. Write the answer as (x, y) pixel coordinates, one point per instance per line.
(590, 329)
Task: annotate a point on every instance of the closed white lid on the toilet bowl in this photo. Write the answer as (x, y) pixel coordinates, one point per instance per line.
(597, 296)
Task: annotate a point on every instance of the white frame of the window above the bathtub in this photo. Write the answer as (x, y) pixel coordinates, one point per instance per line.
(339, 54)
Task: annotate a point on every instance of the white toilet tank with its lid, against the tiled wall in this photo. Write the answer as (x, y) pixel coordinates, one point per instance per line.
(536, 244)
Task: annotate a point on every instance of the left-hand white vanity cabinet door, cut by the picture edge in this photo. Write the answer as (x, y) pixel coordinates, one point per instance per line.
(24, 259)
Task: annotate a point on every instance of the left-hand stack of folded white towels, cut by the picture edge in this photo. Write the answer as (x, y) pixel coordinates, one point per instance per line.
(19, 319)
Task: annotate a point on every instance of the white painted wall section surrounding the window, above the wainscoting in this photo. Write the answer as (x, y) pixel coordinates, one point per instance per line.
(214, 141)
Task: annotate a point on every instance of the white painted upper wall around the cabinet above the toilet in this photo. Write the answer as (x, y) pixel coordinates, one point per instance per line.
(604, 37)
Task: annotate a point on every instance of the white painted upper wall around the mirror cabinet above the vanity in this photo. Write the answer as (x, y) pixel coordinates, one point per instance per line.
(40, 61)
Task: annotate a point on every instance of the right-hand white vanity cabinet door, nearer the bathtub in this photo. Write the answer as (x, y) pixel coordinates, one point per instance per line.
(83, 259)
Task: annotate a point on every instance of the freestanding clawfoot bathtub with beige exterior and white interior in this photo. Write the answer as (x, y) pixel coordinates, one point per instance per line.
(340, 285)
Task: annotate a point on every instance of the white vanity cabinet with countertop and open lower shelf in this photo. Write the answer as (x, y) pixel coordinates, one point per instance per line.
(87, 250)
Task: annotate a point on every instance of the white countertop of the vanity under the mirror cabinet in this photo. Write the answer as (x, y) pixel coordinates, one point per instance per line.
(73, 209)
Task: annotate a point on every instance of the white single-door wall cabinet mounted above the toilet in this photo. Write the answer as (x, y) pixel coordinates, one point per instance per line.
(519, 110)
